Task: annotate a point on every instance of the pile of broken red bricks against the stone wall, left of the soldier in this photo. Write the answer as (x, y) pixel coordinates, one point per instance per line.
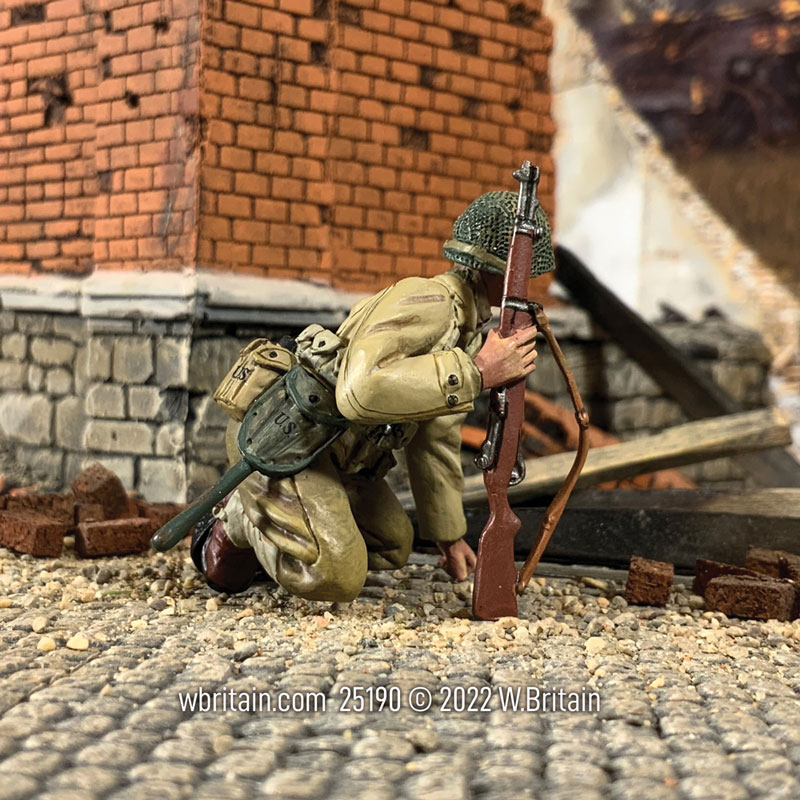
(104, 519)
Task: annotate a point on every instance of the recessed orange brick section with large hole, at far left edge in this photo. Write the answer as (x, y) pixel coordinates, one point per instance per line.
(47, 175)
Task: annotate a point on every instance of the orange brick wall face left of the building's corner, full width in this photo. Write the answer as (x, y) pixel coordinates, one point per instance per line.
(98, 138)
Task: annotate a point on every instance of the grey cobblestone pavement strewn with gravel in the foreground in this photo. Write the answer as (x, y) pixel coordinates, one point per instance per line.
(96, 657)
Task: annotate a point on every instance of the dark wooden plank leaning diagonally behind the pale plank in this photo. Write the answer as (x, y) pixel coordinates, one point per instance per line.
(697, 394)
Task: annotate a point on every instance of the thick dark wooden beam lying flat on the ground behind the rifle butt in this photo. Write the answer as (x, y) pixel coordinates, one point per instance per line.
(674, 525)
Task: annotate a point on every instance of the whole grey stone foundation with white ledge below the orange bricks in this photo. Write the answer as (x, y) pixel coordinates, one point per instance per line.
(135, 394)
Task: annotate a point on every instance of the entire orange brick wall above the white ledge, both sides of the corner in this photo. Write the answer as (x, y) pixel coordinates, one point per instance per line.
(292, 138)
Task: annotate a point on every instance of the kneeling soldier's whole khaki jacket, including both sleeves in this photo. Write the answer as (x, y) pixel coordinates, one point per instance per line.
(409, 359)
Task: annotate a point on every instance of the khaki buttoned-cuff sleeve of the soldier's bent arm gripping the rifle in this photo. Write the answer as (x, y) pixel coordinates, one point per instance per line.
(389, 372)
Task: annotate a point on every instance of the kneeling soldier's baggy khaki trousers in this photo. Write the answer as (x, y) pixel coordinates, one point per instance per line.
(318, 532)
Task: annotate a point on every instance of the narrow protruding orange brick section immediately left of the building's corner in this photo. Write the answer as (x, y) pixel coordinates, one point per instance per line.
(148, 132)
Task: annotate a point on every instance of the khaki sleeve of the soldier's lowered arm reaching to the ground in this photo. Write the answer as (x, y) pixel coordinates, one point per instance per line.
(433, 458)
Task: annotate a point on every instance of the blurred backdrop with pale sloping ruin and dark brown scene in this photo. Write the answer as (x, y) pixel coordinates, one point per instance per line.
(713, 89)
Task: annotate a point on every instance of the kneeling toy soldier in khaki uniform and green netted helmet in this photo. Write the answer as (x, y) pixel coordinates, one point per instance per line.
(404, 368)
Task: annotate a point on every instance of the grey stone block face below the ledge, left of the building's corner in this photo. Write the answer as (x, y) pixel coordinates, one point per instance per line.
(75, 391)
